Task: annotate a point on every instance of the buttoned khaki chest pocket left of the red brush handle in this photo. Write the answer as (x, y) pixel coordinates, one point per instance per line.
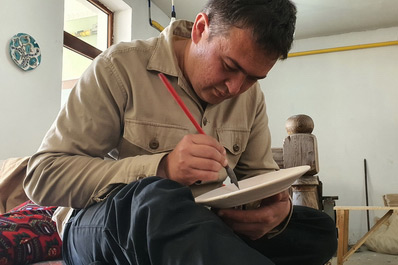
(152, 137)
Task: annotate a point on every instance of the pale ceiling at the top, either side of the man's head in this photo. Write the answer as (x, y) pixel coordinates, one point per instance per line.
(316, 18)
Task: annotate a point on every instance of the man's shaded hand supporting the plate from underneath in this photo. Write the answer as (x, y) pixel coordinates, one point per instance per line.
(255, 223)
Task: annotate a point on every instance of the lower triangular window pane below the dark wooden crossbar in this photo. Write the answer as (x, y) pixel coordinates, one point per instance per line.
(73, 67)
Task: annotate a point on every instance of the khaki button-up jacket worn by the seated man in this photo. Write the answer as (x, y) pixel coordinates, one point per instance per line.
(120, 110)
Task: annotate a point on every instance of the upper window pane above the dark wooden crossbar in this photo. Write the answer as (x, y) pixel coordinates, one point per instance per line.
(87, 22)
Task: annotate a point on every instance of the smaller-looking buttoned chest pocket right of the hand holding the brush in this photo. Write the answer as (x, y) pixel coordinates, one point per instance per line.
(235, 141)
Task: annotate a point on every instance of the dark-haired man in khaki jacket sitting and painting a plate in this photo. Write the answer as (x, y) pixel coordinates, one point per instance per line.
(120, 109)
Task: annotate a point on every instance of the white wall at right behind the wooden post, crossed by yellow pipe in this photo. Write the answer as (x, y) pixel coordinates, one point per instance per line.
(352, 97)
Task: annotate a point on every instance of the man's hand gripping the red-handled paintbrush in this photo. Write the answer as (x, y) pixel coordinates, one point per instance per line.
(196, 157)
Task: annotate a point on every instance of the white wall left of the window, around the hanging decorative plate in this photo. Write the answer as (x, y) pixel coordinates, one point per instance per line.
(29, 101)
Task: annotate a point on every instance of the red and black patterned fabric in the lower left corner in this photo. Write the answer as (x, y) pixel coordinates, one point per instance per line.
(28, 235)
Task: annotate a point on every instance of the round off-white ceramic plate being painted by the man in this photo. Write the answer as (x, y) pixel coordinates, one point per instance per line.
(252, 189)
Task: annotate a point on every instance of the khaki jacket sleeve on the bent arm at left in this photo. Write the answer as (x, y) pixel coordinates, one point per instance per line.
(69, 168)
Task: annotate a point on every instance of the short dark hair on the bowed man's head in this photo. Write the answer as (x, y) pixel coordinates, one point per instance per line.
(272, 21)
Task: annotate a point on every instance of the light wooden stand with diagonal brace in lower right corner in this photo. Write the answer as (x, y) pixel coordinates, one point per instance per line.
(343, 213)
